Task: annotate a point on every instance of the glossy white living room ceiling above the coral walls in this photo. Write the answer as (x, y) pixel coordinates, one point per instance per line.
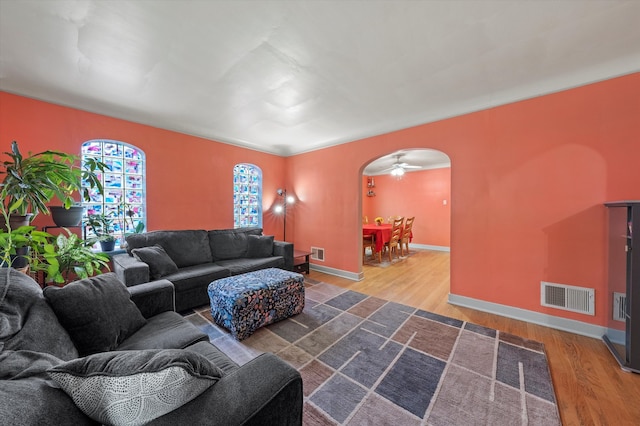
(287, 77)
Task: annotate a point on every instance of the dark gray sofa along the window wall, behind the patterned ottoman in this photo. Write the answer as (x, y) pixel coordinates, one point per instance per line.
(200, 257)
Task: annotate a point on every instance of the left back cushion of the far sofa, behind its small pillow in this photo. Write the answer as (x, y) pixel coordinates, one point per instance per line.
(186, 248)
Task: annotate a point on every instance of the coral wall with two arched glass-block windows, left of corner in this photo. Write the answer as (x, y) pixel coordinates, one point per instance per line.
(189, 179)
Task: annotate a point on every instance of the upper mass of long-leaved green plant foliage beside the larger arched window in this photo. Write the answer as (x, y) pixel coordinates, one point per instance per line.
(31, 182)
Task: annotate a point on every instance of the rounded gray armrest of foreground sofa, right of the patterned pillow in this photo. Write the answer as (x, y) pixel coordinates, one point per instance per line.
(264, 391)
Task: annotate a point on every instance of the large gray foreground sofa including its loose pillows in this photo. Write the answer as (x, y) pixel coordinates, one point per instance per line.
(64, 351)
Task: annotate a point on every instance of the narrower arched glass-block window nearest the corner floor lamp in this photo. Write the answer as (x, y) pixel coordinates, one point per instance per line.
(247, 196)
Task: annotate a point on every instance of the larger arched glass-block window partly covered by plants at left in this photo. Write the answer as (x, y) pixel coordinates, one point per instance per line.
(124, 198)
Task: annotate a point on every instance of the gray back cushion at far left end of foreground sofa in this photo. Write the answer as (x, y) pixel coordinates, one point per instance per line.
(27, 322)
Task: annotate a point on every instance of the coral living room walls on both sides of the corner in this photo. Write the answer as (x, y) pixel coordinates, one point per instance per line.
(528, 182)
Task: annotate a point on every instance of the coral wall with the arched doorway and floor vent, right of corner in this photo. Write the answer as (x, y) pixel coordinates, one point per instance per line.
(528, 183)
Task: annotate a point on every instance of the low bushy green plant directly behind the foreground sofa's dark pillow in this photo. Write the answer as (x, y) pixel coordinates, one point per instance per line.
(74, 259)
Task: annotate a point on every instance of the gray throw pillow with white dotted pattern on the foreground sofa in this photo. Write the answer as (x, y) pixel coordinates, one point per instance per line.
(135, 387)
